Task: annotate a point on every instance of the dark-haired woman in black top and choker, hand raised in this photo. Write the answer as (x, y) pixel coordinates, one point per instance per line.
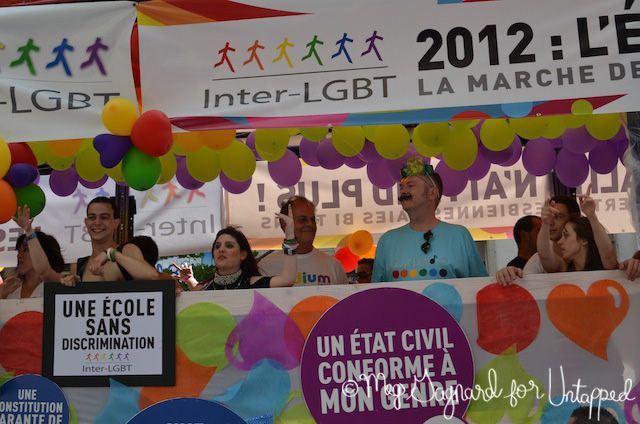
(236, 267)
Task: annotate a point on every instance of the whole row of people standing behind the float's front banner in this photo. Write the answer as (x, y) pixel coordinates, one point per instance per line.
(566, 237)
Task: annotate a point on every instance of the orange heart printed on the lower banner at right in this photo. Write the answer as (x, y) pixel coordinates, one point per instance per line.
(588, 320)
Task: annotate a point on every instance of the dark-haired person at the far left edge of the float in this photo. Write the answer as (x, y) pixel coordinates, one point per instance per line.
(27, 282)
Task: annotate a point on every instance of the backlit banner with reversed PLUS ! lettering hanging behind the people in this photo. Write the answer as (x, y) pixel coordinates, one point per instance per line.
(346, 201)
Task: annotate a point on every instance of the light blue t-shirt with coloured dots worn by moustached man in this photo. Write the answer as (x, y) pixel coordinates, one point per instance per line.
(453, 254)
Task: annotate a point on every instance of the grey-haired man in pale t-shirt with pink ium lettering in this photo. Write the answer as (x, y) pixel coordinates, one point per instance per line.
(314, 266)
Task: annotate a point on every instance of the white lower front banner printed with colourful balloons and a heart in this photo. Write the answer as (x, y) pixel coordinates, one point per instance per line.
(540, 350)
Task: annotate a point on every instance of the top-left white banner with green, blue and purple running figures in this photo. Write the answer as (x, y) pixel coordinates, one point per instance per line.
(59, 65)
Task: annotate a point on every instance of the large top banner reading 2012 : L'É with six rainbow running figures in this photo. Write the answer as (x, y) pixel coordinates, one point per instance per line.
(310, 58)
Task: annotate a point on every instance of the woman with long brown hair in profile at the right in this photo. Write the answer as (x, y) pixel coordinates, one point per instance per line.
(577, 249)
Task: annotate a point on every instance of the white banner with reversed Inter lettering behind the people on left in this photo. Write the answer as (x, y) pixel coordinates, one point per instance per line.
(178, 220)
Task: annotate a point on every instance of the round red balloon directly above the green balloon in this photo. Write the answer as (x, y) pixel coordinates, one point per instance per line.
(151, 133)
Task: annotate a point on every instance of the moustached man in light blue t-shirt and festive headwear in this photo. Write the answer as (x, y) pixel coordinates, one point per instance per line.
(426, 248)
